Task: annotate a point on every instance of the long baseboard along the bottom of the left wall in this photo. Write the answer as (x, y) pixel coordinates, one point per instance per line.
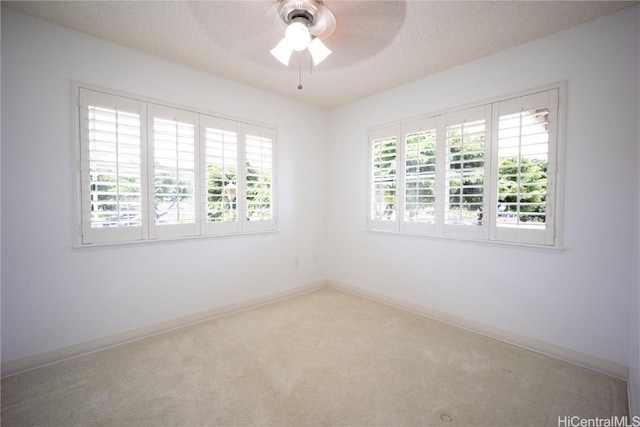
(58, 355)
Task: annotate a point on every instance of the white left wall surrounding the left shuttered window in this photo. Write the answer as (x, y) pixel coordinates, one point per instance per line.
(54, 295)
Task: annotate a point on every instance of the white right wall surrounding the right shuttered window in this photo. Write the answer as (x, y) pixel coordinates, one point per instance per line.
(577, 298)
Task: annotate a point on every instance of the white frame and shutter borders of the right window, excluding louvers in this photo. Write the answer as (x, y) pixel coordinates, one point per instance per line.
(488, 231)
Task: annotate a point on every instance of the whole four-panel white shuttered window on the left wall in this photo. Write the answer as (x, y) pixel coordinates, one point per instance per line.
(151, 171)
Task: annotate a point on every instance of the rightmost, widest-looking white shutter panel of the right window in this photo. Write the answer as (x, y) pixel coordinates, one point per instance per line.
(525, 158)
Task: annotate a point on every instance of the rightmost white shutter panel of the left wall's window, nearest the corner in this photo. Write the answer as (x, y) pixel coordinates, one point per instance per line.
(258, 178)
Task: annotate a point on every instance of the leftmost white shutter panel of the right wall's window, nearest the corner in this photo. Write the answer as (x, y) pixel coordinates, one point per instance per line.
(383, 178)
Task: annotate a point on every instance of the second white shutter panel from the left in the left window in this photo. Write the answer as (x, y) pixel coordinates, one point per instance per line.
(172, 168)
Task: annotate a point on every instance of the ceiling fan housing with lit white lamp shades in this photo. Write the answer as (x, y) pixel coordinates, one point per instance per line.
(307, 23)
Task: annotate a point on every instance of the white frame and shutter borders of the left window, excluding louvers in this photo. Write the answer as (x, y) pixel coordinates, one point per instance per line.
(149, 230)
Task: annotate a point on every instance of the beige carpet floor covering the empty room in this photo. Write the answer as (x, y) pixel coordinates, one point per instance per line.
(325, 358)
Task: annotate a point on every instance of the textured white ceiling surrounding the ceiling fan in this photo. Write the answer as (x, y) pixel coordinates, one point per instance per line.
(377, 44)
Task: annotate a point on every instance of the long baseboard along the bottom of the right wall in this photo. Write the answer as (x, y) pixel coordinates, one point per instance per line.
(542, 347)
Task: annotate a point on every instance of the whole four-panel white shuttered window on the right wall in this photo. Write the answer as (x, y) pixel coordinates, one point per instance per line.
(486, 172)
